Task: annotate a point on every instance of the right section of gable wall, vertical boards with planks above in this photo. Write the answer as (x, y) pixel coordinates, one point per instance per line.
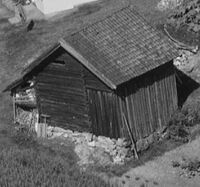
(103, 107)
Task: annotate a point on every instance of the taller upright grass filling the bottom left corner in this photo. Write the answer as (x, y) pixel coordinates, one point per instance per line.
(42, 167)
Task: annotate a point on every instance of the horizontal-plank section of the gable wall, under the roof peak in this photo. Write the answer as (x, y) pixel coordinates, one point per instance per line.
(62, 95)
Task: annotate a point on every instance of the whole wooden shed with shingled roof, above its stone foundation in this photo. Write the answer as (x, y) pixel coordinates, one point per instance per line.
(118, 65)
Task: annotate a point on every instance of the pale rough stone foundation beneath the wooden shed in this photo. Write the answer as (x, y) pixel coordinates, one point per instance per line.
(102, 150)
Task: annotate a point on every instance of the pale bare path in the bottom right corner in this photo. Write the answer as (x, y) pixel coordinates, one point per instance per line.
(160, 172)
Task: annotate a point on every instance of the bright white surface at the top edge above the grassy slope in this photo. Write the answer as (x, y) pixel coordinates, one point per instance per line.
(52, 6)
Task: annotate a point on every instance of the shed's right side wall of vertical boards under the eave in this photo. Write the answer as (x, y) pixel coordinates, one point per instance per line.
(149, 101)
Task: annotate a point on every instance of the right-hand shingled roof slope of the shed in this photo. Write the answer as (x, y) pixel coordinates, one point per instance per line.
(121, 46)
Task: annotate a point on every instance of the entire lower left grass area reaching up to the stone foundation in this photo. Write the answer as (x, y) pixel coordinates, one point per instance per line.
(27, 161)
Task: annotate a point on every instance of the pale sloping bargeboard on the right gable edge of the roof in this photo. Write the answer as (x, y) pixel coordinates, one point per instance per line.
(86, 63)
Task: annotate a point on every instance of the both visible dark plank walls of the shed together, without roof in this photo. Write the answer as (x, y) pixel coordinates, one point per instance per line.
(78, 100)
